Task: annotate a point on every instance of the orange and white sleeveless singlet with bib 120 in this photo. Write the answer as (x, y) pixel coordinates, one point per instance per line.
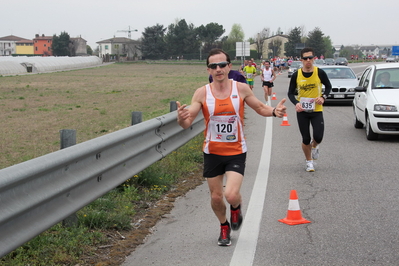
(224, 133)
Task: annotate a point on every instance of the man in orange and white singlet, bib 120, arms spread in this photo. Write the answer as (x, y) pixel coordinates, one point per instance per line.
(222, 104)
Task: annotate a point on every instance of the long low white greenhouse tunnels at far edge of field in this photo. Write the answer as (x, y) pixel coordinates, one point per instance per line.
(24, 64)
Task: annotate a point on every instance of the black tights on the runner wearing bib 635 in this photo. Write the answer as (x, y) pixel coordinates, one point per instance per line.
(316, 120)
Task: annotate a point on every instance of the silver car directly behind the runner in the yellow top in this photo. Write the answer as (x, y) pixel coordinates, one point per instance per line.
(343, 81)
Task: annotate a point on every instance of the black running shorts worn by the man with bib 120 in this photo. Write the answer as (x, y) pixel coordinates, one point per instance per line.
(215, 165)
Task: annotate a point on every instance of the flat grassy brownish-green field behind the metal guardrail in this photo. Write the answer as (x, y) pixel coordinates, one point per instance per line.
(94, 102)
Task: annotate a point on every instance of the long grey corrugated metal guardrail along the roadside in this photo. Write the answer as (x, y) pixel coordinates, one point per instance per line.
(37, 194)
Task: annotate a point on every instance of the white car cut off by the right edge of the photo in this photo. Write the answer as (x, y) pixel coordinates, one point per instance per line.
(376, 101)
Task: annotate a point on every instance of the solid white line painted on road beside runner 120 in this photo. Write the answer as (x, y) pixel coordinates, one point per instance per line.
(244, 252)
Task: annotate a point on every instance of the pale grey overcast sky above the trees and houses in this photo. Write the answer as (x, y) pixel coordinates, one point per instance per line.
(347, 22)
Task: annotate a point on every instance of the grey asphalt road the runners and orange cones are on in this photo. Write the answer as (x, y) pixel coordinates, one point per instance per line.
(351, 200)
